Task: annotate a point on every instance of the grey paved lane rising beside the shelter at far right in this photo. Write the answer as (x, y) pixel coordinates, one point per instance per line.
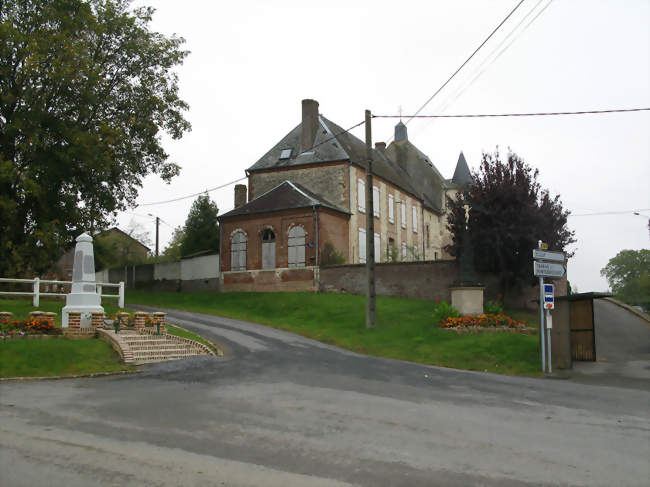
(622, 349)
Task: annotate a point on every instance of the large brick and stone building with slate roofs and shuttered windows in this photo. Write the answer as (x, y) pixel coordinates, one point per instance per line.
(308, 192)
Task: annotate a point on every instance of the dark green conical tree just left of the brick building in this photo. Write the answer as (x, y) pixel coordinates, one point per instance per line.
(201, 227)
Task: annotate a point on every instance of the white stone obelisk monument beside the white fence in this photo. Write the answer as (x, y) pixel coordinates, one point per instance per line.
(83, 296)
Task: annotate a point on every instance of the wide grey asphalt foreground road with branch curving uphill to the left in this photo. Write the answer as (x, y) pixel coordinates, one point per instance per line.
(281, 410)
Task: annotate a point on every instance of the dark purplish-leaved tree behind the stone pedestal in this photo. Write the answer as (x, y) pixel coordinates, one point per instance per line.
(509, 213)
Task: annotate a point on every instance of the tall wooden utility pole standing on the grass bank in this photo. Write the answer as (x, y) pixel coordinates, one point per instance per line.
(370, 229)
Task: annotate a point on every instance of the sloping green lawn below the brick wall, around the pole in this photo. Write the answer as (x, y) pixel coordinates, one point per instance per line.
(405, 328)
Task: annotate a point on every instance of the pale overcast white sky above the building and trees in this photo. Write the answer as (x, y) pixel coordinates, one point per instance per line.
(252, 62)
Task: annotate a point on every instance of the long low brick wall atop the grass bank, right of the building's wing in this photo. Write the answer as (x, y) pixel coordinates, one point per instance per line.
(424, 280)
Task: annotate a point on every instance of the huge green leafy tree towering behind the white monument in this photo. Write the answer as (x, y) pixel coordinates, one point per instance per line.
(86, 91)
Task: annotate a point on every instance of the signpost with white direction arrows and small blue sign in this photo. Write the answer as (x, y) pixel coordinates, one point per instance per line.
(547, 263)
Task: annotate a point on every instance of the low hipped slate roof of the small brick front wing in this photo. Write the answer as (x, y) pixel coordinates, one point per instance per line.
(285, 196)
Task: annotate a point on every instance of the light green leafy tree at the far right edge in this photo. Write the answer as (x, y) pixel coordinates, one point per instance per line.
(628, 275)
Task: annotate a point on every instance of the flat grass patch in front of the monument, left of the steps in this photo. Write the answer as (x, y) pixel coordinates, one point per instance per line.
(50, 357)
